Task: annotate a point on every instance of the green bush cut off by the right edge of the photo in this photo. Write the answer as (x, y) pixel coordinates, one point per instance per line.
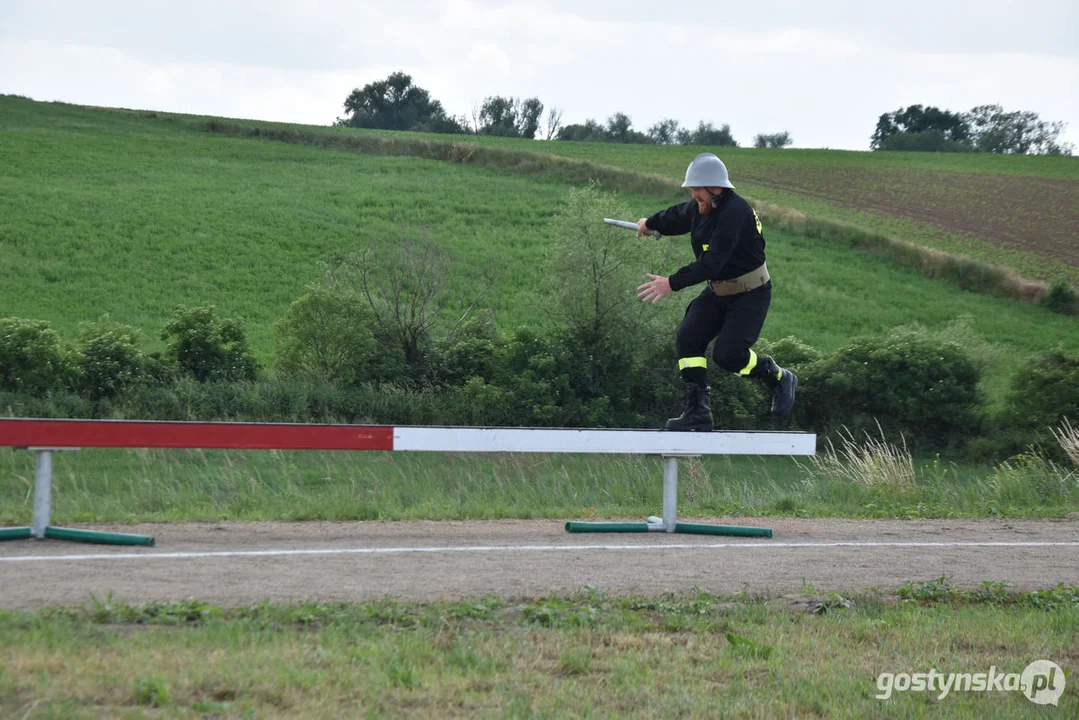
(1046, 391)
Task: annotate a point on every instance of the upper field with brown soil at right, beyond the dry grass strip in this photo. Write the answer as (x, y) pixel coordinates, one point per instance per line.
(1018, 211)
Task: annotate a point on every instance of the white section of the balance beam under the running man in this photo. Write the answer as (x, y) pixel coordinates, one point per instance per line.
(612, 442)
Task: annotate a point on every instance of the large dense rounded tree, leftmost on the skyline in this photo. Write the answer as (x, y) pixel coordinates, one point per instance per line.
(398, 104)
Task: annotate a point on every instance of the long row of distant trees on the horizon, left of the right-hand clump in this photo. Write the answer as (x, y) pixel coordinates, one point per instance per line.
(397, 103)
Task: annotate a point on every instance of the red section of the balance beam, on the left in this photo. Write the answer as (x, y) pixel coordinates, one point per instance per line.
(209, 436)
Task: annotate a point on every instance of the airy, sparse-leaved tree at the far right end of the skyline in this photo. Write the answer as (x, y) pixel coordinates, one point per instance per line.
(993, 130)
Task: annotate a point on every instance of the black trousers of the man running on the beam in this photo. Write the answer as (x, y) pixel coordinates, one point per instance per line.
(735, 321)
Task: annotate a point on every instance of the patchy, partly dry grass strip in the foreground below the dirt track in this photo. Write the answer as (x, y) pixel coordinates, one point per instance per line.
(580, 656)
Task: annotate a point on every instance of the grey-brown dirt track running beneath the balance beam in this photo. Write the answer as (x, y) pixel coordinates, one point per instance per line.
(448, 560)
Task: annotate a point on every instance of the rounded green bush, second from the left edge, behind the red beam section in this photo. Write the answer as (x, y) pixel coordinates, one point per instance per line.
(108, 360)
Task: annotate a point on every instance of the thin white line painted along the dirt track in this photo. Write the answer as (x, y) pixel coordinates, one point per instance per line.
(513, 549)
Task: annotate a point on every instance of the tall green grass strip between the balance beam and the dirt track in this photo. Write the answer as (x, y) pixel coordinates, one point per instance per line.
(127, 486)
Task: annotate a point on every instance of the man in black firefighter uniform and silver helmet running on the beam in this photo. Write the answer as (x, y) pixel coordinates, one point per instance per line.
(732, 308)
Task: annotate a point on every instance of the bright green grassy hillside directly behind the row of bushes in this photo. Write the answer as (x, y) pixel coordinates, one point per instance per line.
(104, 212)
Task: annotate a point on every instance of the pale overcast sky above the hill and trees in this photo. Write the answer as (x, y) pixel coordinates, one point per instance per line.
(824, 72)
